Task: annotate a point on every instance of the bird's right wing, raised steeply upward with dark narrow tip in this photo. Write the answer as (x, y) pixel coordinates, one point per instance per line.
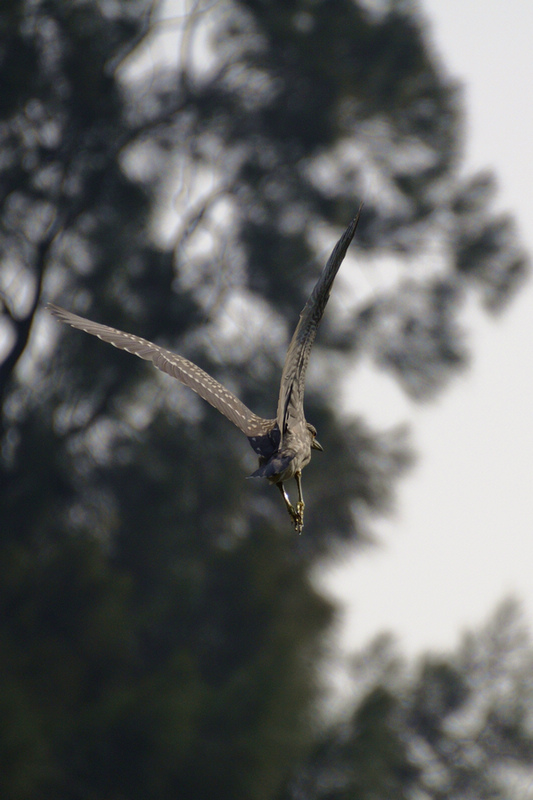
(291, 392)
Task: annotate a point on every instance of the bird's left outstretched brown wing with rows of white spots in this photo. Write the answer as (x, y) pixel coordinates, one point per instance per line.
(178, 367)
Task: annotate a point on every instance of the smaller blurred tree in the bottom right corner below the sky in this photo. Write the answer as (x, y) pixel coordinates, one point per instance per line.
(457, 727)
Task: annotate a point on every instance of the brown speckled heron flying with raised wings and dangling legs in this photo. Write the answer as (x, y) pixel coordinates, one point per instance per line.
(283, 444)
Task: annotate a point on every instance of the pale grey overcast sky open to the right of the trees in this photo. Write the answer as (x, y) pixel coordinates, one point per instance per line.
(462, 536)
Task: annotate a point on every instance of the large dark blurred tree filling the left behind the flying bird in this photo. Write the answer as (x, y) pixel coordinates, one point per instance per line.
(160, 633)
